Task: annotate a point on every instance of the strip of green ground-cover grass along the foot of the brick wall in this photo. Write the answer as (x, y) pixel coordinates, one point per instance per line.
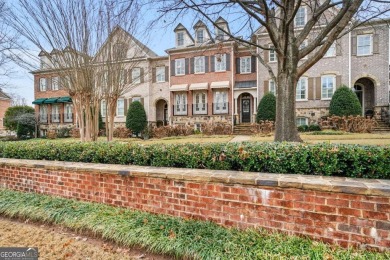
(183, 238)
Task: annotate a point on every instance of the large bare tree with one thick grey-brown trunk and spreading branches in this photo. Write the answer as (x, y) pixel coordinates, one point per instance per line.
(327, 21)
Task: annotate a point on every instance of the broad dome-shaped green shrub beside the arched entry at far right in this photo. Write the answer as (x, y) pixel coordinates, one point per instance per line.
(345, 103)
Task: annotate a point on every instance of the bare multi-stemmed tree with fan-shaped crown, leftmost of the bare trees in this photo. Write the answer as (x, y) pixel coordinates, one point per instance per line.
(69, 33)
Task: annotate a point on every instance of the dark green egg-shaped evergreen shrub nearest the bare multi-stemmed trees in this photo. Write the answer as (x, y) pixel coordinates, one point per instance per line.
(136, 118)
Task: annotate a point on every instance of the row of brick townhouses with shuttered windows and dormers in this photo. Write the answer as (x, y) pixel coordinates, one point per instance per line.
(208, 77)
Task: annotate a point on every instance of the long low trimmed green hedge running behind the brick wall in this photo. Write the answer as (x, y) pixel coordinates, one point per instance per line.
(318, 159)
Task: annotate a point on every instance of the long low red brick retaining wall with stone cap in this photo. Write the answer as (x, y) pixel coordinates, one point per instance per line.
(347, 212)
